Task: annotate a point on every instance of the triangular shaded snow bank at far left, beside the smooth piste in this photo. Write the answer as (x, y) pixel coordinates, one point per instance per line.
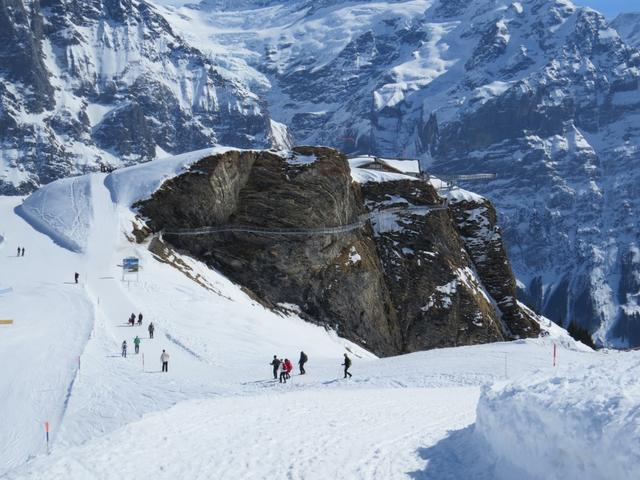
(62, 210)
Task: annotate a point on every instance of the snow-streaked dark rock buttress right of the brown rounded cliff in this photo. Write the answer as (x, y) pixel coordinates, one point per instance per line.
(438, 297)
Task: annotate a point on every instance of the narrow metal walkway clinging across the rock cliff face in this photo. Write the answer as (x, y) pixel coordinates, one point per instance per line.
(358, 224)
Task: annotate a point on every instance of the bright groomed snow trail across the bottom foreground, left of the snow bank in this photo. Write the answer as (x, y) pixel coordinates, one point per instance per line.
(302, 435)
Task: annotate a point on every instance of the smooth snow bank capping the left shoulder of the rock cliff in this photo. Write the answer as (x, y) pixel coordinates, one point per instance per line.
(129, 185)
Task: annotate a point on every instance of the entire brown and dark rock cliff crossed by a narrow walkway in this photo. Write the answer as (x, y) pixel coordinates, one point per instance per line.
(403, 282)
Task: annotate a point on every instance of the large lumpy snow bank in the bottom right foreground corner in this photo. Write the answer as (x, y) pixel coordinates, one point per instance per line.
(584, 423)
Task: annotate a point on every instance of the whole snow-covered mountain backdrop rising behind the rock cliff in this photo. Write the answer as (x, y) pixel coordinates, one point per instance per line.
(541, 92)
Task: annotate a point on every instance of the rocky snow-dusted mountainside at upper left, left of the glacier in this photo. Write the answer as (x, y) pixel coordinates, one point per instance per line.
(109, 81)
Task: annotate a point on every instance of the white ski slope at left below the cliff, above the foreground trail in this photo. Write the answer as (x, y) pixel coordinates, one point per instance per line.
(62, 353)
